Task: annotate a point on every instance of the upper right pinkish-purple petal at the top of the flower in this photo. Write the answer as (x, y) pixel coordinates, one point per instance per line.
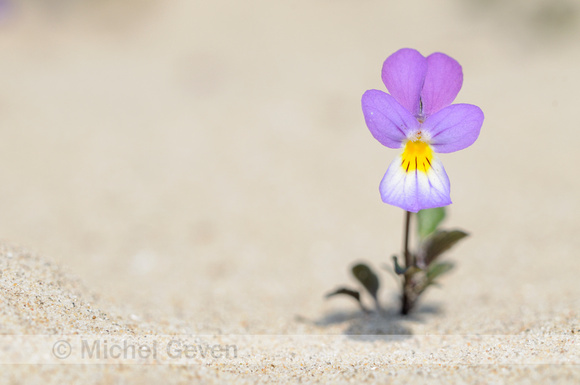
(442, 83)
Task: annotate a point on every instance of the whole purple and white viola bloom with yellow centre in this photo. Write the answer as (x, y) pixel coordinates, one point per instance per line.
(417, 117)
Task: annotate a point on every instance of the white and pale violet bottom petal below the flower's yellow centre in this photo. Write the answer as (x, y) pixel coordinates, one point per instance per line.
(416, 190)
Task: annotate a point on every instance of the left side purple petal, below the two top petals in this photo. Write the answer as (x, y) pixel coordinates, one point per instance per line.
(387, 120)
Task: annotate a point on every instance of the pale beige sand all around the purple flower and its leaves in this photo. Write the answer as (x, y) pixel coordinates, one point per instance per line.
(199, 176)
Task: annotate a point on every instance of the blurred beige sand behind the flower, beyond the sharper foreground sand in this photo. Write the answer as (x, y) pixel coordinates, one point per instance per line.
(196, 159)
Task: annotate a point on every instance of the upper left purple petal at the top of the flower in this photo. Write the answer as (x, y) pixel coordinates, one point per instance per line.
(403, 74)
